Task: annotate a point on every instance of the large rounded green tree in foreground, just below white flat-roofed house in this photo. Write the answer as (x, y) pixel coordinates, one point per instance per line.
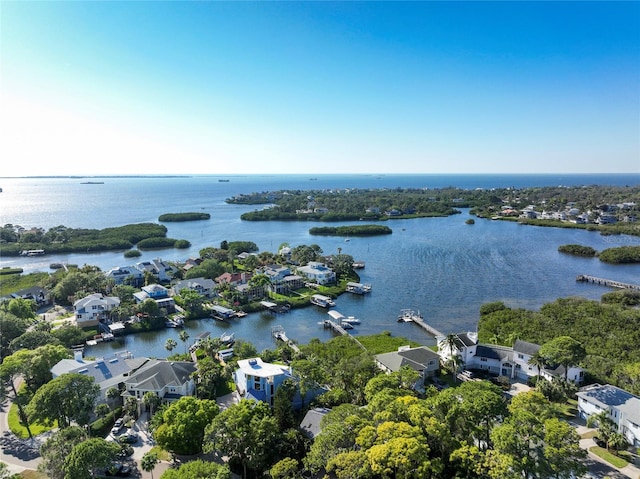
(245, 432)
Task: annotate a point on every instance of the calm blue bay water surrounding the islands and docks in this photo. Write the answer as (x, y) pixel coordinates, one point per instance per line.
(441, 266)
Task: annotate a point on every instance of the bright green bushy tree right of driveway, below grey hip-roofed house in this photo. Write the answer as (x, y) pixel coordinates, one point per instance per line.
(183, 424)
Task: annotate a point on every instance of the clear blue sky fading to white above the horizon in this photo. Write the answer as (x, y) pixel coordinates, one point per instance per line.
(319, 87)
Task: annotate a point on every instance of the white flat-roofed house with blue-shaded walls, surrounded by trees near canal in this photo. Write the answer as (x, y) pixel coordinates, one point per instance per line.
(258, 380)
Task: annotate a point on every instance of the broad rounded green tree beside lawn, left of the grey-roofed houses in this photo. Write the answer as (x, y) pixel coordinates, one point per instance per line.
(68, 399)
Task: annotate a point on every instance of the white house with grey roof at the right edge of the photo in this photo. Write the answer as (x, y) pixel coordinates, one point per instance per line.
(622, 406)
